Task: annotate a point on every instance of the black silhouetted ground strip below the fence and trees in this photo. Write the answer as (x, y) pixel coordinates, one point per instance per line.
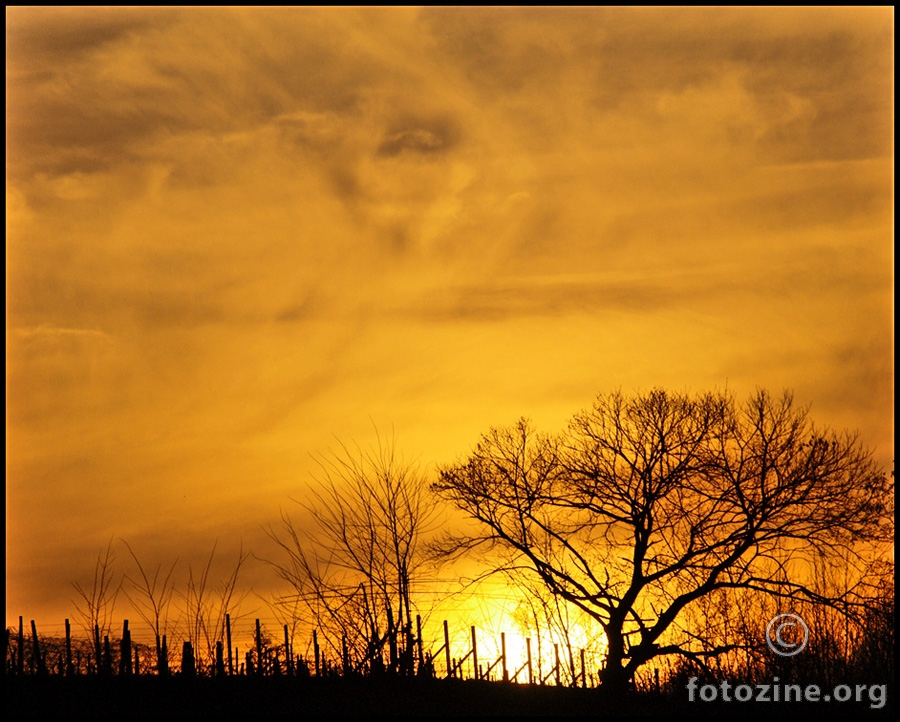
(204, 698)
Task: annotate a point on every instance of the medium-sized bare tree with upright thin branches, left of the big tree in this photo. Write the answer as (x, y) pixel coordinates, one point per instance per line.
(354, 568)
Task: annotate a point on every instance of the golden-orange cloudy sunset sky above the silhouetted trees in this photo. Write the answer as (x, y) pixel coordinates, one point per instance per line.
(235, 236)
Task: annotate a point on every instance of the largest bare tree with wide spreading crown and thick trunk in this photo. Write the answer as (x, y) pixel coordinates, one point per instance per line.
(646, 506)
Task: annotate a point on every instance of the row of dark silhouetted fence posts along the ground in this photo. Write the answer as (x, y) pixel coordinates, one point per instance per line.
(398, 652)
